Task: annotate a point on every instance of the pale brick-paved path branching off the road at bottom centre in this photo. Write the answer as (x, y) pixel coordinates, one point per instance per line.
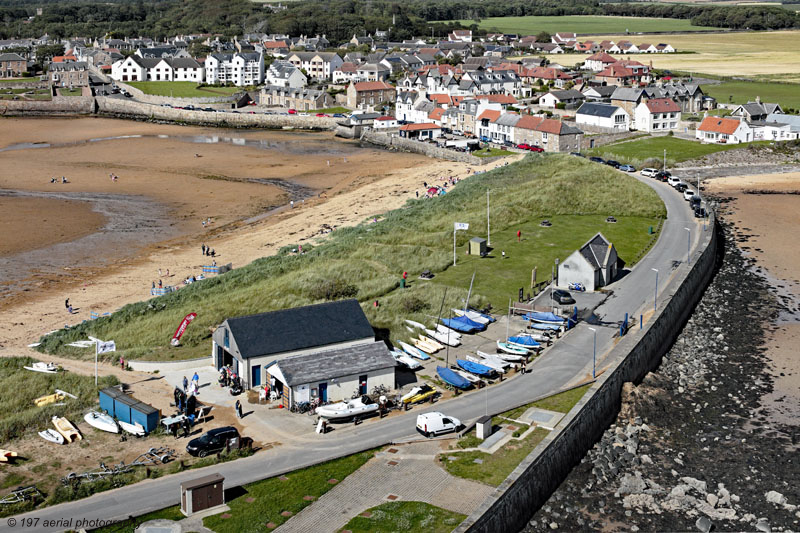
(409, 474)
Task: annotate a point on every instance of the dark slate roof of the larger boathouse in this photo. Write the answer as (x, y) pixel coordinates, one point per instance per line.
(300, 328)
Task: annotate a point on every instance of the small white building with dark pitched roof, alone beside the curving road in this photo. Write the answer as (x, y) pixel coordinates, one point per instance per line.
(594, 265)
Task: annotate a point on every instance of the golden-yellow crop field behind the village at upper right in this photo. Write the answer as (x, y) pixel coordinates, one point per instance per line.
(772, 56)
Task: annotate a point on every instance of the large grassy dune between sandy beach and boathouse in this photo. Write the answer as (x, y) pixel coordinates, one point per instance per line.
(367, 261)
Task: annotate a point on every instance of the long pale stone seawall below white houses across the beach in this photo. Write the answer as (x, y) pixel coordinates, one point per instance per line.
(137, 110)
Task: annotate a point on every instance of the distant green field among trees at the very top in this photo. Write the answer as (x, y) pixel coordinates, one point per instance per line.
(583, 24)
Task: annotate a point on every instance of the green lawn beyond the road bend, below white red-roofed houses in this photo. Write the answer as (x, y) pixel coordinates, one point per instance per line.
(637, 152)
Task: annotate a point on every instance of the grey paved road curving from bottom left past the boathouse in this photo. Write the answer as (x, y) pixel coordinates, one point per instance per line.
(568, 359)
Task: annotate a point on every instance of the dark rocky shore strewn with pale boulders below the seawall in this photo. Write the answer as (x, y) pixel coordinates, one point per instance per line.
(694, 448)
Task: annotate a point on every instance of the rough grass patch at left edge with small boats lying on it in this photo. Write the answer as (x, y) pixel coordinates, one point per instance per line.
(20, 415)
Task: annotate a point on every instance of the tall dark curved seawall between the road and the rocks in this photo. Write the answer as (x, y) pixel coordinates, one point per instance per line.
(529, 486)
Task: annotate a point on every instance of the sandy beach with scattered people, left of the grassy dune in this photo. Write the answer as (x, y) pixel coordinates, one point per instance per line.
(367, 184)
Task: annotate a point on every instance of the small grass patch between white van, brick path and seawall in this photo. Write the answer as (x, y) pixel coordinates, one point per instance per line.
(494, 467)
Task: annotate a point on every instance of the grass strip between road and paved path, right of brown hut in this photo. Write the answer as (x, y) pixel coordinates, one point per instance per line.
(271, 497)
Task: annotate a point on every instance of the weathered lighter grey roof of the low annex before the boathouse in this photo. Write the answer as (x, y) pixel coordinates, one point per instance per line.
(322, 366)
